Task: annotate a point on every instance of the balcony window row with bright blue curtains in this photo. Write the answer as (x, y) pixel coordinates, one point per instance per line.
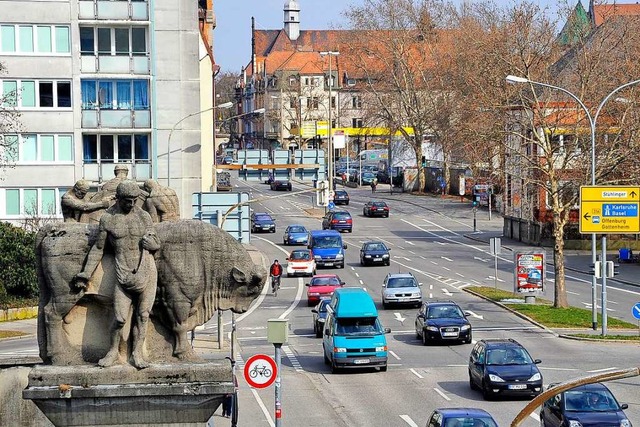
(115, 94)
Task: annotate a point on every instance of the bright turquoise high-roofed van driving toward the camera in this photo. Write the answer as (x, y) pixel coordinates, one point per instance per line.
(353, 335)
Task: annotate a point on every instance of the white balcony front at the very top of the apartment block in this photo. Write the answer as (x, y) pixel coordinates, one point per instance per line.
(133, 10)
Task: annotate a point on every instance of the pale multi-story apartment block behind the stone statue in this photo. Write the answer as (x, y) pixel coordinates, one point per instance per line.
(99, 83)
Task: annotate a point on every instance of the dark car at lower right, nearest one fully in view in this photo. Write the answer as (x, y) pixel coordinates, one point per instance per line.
(503, 367)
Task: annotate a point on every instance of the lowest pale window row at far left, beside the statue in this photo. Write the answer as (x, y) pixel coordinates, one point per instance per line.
(31, 202)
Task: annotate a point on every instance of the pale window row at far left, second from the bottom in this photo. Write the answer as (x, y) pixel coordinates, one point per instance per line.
(40, 148)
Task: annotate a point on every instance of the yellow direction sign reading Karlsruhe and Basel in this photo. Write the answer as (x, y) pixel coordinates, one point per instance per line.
(609, 210)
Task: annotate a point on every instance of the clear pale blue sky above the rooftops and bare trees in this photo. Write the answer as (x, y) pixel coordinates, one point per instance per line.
(232, 43)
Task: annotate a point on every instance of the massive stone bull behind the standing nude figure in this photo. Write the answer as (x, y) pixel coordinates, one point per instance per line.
(201, 269)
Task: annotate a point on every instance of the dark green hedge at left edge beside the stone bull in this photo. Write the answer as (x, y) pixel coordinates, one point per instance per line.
(18, 278)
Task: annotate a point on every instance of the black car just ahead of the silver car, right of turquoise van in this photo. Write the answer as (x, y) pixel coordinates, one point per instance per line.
(442, 321)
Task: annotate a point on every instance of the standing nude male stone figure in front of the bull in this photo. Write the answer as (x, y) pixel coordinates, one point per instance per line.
(129, 231)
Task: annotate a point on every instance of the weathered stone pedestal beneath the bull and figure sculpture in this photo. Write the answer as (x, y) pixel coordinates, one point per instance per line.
(167, 395)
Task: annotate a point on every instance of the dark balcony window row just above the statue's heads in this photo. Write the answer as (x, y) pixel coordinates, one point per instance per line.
(115, 148)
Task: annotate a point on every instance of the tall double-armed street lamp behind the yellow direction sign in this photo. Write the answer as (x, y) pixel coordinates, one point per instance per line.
(592, 123)
